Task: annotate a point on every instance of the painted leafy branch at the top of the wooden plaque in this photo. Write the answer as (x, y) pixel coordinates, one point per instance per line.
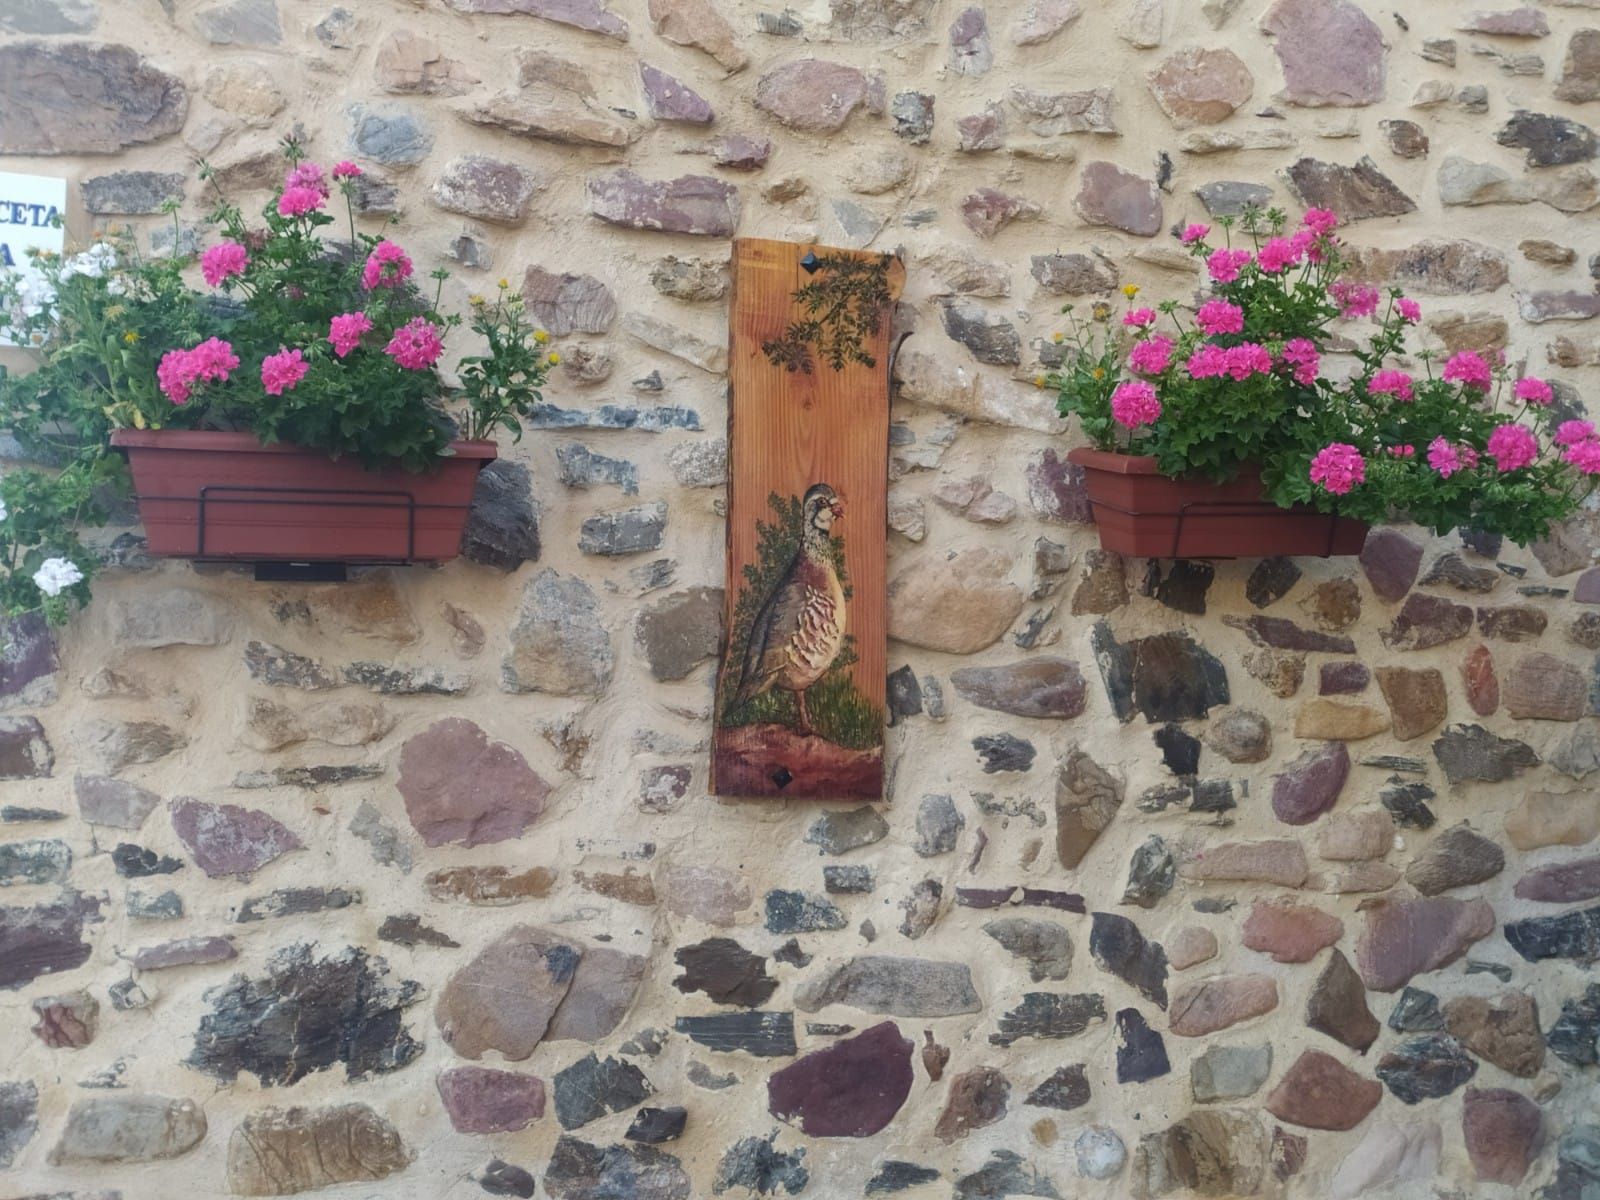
(846, 305)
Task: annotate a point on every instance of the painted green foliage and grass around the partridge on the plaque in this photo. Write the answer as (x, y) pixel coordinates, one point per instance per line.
(839, 711)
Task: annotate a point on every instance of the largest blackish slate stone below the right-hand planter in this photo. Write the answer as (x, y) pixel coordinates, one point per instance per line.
(1166, 678)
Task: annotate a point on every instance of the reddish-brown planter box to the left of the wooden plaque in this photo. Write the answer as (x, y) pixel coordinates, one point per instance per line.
(207, 495)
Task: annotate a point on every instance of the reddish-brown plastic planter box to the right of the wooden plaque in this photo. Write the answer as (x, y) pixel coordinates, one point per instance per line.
(1146, 514)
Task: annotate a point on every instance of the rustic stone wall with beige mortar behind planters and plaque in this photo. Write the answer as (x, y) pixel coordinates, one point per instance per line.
(1282, 887)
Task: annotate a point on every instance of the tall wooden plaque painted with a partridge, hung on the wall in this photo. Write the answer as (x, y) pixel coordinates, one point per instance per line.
(804, 671)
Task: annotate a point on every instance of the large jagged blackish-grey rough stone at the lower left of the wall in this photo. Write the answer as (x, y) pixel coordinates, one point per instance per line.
(306, 1015)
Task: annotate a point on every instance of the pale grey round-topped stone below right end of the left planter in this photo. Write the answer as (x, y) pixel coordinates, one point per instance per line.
(559, 644)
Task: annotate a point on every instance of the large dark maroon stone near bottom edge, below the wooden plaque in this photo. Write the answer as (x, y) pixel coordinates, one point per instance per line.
(850, 1090)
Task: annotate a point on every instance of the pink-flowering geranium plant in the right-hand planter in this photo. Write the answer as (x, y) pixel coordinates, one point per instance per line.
(1239, 380)
